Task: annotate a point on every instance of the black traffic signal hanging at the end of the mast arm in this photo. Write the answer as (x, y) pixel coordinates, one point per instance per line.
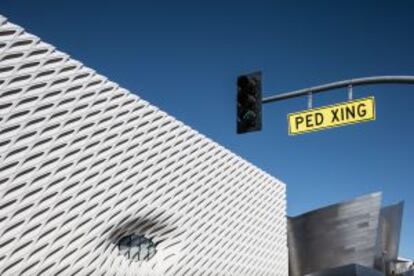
(249, 102)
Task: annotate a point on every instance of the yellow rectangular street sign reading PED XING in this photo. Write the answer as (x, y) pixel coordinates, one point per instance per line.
(340, 114)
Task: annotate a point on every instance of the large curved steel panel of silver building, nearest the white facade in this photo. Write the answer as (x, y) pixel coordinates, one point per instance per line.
(333, 236)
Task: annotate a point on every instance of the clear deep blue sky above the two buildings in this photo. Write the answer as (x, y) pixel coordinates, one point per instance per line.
(184, 56)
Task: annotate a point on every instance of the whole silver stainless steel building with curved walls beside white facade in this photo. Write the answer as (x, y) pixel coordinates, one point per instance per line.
(354, 232)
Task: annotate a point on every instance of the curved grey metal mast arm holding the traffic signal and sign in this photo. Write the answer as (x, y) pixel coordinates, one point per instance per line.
(339, 84)
